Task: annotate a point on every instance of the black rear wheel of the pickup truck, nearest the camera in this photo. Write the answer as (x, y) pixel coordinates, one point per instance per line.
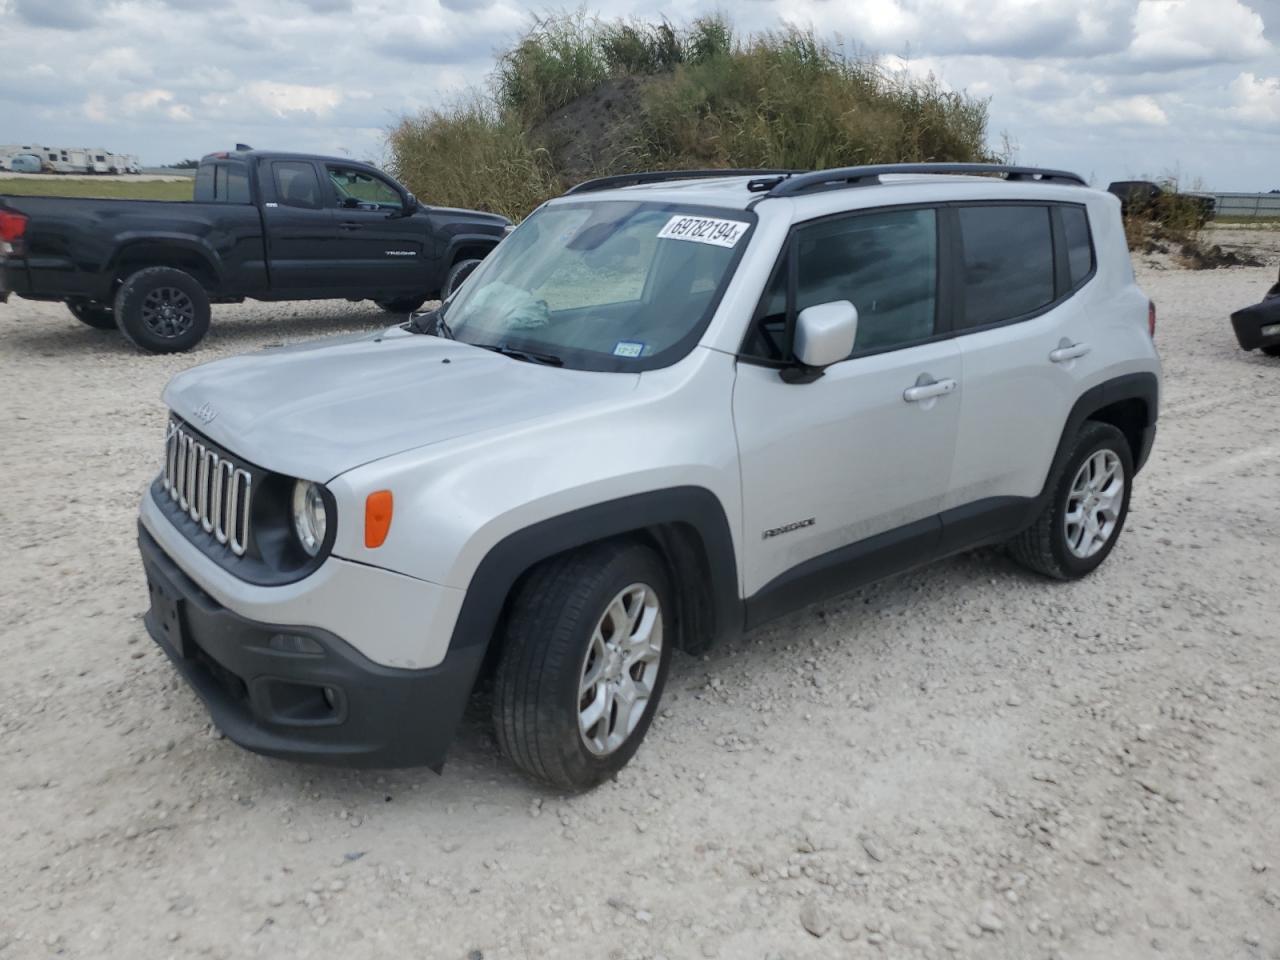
(162, 310)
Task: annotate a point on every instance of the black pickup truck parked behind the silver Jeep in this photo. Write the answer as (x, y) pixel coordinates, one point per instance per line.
(263, 226)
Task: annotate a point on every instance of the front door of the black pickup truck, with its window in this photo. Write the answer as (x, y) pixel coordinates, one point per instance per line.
(383, 253)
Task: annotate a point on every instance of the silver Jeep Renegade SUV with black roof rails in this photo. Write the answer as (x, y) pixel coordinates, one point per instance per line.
(668, 409)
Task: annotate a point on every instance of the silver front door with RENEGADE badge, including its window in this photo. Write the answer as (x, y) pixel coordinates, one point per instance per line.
(844, 476)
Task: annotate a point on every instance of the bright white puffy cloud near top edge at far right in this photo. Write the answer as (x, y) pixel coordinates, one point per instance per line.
(1183, 33)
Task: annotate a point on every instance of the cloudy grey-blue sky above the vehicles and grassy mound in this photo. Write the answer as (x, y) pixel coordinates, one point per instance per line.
(1108, 88)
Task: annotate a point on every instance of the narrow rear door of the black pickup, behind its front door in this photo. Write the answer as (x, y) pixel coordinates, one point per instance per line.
(303, 239)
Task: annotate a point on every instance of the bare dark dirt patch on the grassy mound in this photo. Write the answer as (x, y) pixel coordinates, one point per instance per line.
(591, 136)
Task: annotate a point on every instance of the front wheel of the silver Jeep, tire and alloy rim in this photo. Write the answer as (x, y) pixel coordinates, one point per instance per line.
(555, 636)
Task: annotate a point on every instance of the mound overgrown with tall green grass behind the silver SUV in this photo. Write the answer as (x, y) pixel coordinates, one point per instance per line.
(580, 98)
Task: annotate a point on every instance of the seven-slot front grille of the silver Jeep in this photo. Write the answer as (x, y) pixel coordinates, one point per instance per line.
(209, 487)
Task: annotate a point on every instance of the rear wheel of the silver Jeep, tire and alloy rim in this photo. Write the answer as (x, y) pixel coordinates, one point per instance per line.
(1064, 551)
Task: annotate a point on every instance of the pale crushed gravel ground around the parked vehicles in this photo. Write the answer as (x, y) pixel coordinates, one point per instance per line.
(963, 762)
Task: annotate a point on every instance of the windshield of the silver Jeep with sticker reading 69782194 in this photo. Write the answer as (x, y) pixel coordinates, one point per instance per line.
(602, 286)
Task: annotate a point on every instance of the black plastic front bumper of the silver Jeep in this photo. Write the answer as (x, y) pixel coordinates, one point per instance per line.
(310, 697)
